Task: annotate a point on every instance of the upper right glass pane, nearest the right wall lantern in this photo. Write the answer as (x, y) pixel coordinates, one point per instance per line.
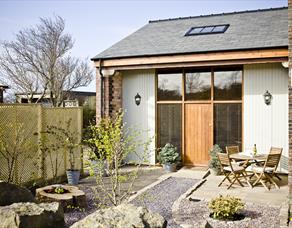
(227, 85)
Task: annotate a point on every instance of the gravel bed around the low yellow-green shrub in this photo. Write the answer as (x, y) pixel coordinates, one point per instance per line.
(196, 213)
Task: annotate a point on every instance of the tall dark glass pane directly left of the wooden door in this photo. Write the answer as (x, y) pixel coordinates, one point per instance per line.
(169, 125)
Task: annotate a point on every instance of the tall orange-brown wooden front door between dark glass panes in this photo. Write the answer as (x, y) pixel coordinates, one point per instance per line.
(198, 133)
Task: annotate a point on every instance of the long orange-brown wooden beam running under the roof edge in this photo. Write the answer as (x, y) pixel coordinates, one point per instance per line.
(195, 58)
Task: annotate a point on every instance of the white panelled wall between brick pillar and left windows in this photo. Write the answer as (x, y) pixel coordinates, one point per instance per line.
(141, 117)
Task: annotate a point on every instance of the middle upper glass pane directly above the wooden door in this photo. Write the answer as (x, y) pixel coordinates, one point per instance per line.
(198, 86)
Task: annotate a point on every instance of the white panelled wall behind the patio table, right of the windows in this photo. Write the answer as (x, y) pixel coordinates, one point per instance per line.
(266, 125)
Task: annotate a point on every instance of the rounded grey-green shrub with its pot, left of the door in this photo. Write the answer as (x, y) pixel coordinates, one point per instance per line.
(169, 157)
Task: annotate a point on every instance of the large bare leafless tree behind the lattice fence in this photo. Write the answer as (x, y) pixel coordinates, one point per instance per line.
(39, 61)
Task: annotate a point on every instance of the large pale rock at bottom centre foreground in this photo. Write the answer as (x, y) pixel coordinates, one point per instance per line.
(122, 216)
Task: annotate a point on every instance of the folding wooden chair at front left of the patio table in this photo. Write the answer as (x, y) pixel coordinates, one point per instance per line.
(232, 172)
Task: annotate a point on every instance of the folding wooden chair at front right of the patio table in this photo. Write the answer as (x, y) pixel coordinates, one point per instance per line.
(266, 173)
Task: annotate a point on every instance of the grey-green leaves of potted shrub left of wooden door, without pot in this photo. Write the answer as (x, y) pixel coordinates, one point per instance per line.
(168, 154)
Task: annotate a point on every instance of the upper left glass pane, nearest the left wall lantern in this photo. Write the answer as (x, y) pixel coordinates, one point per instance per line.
(169, 87)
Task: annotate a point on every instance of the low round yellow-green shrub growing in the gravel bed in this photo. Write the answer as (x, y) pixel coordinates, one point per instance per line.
(225, 207)
